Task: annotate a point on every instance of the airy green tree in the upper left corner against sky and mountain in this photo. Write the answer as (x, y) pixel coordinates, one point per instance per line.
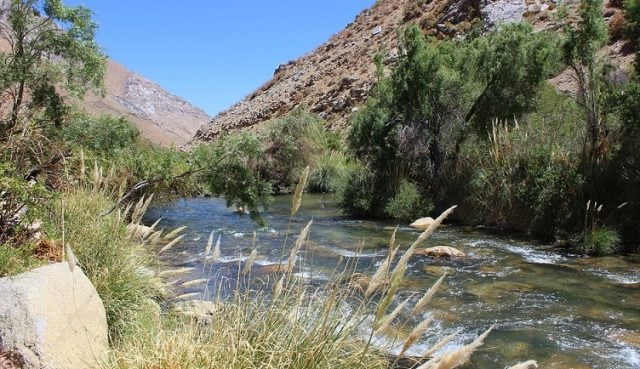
(51, 46)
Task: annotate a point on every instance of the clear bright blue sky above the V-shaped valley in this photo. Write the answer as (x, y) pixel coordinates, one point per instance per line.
(213, 53)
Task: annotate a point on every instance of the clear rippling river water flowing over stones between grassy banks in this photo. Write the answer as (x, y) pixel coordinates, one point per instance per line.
(563, 310)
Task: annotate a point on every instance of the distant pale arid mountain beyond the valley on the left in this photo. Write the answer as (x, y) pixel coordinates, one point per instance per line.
(162, 117)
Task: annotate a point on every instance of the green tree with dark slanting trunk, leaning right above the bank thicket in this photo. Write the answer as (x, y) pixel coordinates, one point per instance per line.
(508, 65)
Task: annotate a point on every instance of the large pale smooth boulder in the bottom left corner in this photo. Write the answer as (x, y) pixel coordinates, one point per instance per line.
(52, 318)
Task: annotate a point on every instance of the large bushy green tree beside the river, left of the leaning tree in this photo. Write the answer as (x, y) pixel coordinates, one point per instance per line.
(399, 134)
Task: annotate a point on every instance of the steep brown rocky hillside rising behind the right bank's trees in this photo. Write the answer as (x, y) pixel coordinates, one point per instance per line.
(336, 78)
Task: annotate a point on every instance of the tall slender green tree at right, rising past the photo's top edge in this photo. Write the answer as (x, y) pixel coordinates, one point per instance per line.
(582, 44)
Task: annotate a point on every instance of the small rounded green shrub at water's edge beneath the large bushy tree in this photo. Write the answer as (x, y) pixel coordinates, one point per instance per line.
(408, 203)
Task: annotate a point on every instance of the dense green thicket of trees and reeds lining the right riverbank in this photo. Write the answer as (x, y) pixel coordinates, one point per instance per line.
(474, 122)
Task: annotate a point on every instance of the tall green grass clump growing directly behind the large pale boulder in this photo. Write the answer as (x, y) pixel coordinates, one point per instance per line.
(119, 268)
